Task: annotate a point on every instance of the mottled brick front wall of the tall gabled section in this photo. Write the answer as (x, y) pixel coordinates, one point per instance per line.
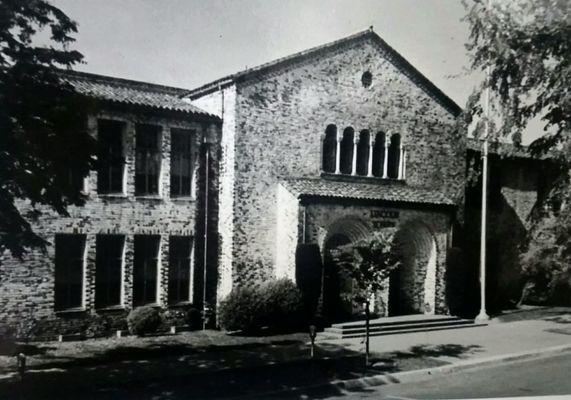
(281, 119)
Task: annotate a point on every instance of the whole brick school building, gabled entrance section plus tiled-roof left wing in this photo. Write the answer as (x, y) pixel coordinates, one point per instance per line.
(228, 185)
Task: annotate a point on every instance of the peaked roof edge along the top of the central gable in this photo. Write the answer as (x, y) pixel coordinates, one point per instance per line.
(392, 55)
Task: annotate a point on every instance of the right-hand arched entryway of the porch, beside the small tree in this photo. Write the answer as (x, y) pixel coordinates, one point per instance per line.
(412, 287)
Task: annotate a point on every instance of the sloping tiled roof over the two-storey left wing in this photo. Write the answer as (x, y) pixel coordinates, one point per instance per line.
(129, 92)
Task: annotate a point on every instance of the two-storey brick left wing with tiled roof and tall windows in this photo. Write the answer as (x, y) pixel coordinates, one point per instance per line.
(139, 239)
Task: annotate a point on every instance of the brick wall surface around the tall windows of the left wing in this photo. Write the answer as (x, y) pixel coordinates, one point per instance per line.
(27, 285)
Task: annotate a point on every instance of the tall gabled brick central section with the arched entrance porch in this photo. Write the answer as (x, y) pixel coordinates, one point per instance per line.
(328, 146)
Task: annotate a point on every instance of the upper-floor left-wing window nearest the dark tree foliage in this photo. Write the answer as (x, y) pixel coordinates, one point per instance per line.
(110, 157)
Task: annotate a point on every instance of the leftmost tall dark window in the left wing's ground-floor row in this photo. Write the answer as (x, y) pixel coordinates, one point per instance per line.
(69, 271)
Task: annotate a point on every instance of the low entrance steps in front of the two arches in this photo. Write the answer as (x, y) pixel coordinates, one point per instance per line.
(398, 325)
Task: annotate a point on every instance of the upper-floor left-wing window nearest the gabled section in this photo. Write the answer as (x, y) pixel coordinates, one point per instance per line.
(181, 162)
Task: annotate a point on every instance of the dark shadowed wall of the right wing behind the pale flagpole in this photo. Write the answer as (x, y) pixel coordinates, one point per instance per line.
(515, 186)
